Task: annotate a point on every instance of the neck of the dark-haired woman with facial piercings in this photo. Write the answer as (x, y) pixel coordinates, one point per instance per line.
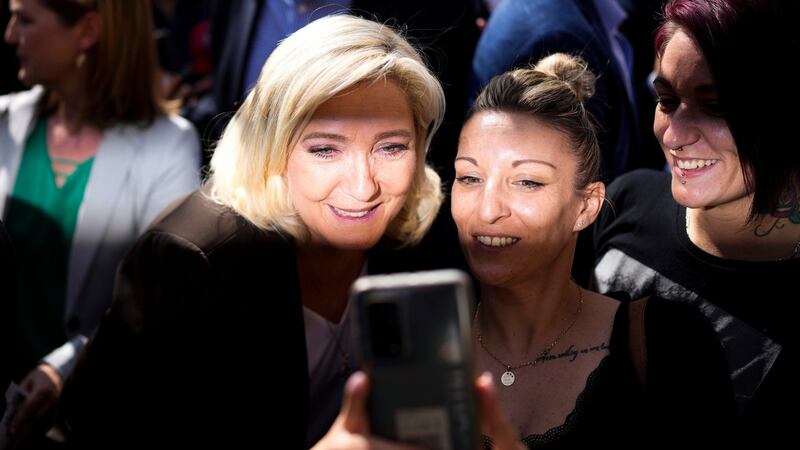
(726, 233)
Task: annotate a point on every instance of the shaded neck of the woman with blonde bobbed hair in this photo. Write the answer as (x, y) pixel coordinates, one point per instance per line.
(326, 274)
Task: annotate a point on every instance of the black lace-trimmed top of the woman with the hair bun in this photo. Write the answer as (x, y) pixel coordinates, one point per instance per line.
(687, 392)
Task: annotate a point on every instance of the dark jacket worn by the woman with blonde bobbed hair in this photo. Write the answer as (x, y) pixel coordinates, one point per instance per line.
(203, 343)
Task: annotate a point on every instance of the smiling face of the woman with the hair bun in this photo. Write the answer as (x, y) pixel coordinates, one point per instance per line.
(514, 199)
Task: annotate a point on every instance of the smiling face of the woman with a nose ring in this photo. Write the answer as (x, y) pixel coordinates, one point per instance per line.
(693, 133)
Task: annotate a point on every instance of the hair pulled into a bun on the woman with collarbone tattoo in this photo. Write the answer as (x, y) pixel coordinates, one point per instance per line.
(553, 91)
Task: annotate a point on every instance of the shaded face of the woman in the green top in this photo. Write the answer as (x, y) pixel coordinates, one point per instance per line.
(46, 48)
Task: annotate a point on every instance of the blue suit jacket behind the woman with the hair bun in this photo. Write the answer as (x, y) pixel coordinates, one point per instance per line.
(521, 32)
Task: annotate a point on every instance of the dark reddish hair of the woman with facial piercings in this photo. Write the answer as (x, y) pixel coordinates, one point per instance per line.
(747, 43)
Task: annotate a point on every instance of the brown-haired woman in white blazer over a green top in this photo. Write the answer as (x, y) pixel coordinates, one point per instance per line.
(88, 157)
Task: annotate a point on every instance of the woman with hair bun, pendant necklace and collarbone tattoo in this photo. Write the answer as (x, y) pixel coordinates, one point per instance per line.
(573, 368)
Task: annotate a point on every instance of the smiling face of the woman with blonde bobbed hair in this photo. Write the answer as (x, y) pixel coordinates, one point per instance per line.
(353, 166)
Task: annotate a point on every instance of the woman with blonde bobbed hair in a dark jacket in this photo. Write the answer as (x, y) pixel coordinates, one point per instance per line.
(230, 317)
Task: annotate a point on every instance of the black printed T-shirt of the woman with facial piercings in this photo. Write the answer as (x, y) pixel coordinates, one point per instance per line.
(643, 249)
